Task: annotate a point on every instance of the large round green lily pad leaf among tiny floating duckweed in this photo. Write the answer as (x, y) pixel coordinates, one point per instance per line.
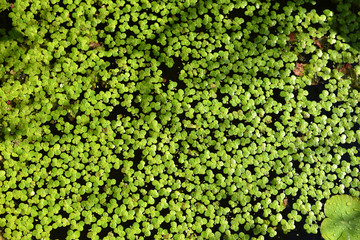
(343, 218)
